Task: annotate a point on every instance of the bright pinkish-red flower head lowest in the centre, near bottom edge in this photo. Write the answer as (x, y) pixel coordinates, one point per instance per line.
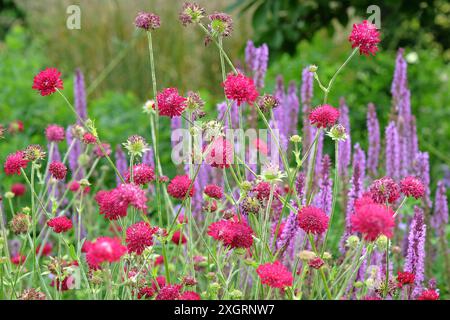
(275, 275)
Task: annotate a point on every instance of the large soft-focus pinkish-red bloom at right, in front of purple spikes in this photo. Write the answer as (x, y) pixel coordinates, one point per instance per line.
(373, 220)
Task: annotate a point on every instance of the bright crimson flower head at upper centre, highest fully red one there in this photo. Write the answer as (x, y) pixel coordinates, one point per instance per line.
(240, 88)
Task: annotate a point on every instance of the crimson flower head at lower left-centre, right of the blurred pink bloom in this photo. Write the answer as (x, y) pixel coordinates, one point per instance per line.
(139, 236)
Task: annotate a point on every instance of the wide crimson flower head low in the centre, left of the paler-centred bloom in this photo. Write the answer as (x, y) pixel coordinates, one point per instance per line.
(232, 233)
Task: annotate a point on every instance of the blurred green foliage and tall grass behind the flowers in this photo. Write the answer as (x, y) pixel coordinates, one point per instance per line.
(114, 58)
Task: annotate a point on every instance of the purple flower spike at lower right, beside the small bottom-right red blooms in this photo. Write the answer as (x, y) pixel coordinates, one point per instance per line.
(415, 258)
